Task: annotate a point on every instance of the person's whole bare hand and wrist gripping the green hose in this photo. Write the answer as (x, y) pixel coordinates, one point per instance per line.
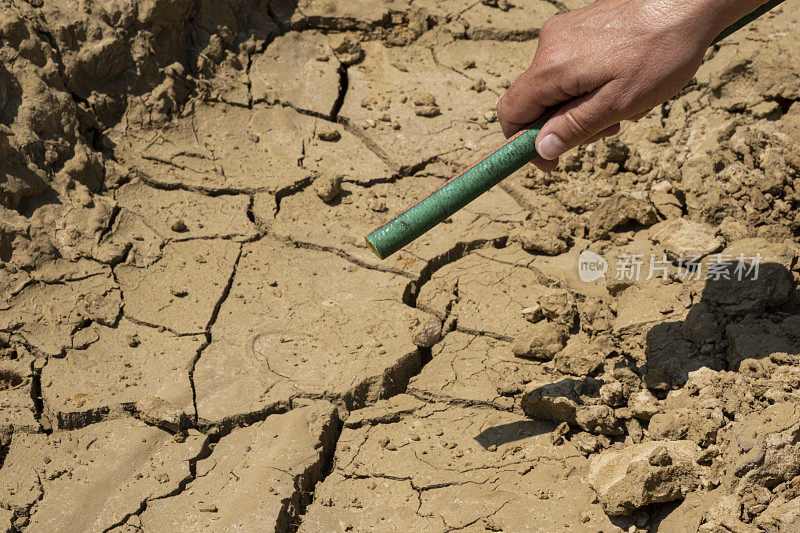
(612, 61)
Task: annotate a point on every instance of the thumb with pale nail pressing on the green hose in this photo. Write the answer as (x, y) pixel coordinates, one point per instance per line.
(578, 121)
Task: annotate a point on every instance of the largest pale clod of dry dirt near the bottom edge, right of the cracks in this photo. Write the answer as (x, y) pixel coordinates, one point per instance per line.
(642, 474)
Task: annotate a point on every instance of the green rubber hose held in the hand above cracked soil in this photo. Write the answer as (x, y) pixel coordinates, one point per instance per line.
(480, 177)
